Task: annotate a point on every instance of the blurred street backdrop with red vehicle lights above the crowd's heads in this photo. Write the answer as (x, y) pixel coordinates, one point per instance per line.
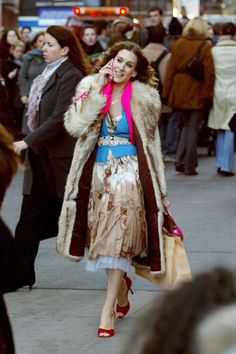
(40, 14)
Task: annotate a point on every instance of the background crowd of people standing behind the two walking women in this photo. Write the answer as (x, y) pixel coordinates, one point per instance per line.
(203, 113)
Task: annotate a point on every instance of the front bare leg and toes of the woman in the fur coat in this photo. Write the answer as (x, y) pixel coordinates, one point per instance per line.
(114, 279)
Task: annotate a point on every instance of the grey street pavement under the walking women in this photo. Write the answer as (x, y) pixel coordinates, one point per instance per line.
(61, 313)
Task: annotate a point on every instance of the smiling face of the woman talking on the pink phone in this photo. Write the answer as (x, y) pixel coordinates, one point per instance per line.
(124, 66)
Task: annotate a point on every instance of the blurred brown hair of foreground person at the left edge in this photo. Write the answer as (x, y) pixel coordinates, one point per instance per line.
(9, 160)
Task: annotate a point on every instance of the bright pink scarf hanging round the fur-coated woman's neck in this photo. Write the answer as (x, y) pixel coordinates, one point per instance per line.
(125, 100)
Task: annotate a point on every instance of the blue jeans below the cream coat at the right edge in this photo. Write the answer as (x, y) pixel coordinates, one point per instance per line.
(225, 150)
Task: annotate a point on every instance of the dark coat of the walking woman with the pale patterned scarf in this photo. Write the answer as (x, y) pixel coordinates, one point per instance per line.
(50, 141)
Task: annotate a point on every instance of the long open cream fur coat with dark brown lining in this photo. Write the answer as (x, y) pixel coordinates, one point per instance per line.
(83, 121)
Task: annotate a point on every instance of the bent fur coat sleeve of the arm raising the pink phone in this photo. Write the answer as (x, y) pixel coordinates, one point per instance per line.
(84, 111)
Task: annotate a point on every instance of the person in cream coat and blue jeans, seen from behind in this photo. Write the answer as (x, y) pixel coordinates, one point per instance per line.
(224, 103)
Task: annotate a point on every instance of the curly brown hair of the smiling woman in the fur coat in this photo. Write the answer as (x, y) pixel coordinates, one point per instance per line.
(145, 72)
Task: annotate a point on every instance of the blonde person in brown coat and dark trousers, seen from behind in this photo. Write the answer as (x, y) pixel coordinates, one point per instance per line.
(188, 94)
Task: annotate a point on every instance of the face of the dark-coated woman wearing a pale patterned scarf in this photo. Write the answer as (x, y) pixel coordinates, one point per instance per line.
(52, 50)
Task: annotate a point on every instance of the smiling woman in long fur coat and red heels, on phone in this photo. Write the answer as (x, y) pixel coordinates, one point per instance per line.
(116, 189)
